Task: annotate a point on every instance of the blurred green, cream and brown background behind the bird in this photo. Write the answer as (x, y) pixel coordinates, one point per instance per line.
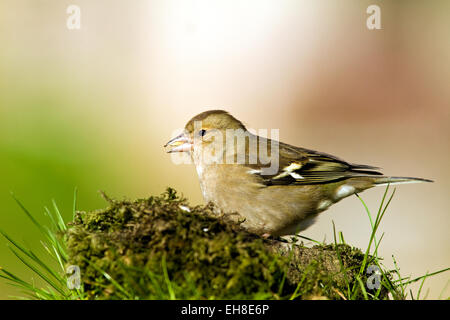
(92, 107)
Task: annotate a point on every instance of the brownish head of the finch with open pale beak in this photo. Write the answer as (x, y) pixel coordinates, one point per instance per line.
(206, 130)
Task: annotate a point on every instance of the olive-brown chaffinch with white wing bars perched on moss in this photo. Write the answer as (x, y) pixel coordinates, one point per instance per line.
(278, 189)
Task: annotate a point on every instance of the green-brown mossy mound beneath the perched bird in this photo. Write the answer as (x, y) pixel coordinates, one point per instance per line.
(159, 248)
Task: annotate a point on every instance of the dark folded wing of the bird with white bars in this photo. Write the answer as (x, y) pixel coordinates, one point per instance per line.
(299, 166)
